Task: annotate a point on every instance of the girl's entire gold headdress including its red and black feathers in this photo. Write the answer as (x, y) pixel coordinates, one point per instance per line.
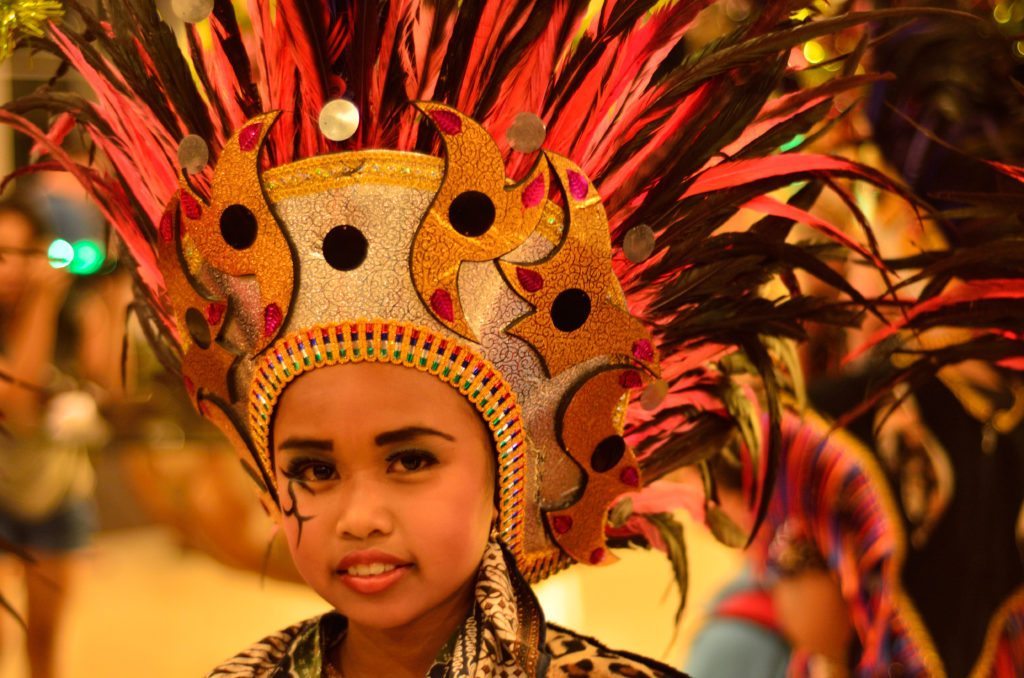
(296, 250)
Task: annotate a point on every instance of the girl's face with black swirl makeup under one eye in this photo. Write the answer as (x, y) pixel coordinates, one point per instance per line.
(387, 483)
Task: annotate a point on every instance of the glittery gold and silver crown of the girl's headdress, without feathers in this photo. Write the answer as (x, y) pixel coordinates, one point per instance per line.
(508, 295)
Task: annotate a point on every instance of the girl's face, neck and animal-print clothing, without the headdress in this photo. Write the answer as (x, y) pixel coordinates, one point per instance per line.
(391, 517)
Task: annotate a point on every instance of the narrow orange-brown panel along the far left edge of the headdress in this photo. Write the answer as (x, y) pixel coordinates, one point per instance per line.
(205, 363)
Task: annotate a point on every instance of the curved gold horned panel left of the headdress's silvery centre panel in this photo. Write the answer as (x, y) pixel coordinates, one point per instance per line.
(237, 233)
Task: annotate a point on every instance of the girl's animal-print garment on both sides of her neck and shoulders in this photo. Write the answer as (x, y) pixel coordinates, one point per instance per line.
(505, 637)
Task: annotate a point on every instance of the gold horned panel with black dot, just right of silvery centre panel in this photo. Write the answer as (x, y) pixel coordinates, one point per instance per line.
(476, 217)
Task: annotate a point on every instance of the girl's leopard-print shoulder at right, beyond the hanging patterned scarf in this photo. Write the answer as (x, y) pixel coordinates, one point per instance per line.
(581, 657)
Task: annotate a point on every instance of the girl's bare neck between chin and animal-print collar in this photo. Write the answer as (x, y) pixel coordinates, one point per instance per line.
(408, 651)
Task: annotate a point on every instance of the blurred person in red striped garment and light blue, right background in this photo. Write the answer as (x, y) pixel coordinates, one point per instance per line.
(821, 597)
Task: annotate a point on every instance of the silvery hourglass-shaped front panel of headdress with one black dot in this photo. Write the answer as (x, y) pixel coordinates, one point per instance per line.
(379, 199)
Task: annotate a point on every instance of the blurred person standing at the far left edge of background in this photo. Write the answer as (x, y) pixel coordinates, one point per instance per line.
(47, 480)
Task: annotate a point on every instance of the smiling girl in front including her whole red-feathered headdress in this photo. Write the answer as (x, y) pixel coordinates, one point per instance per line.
(409, 319)
